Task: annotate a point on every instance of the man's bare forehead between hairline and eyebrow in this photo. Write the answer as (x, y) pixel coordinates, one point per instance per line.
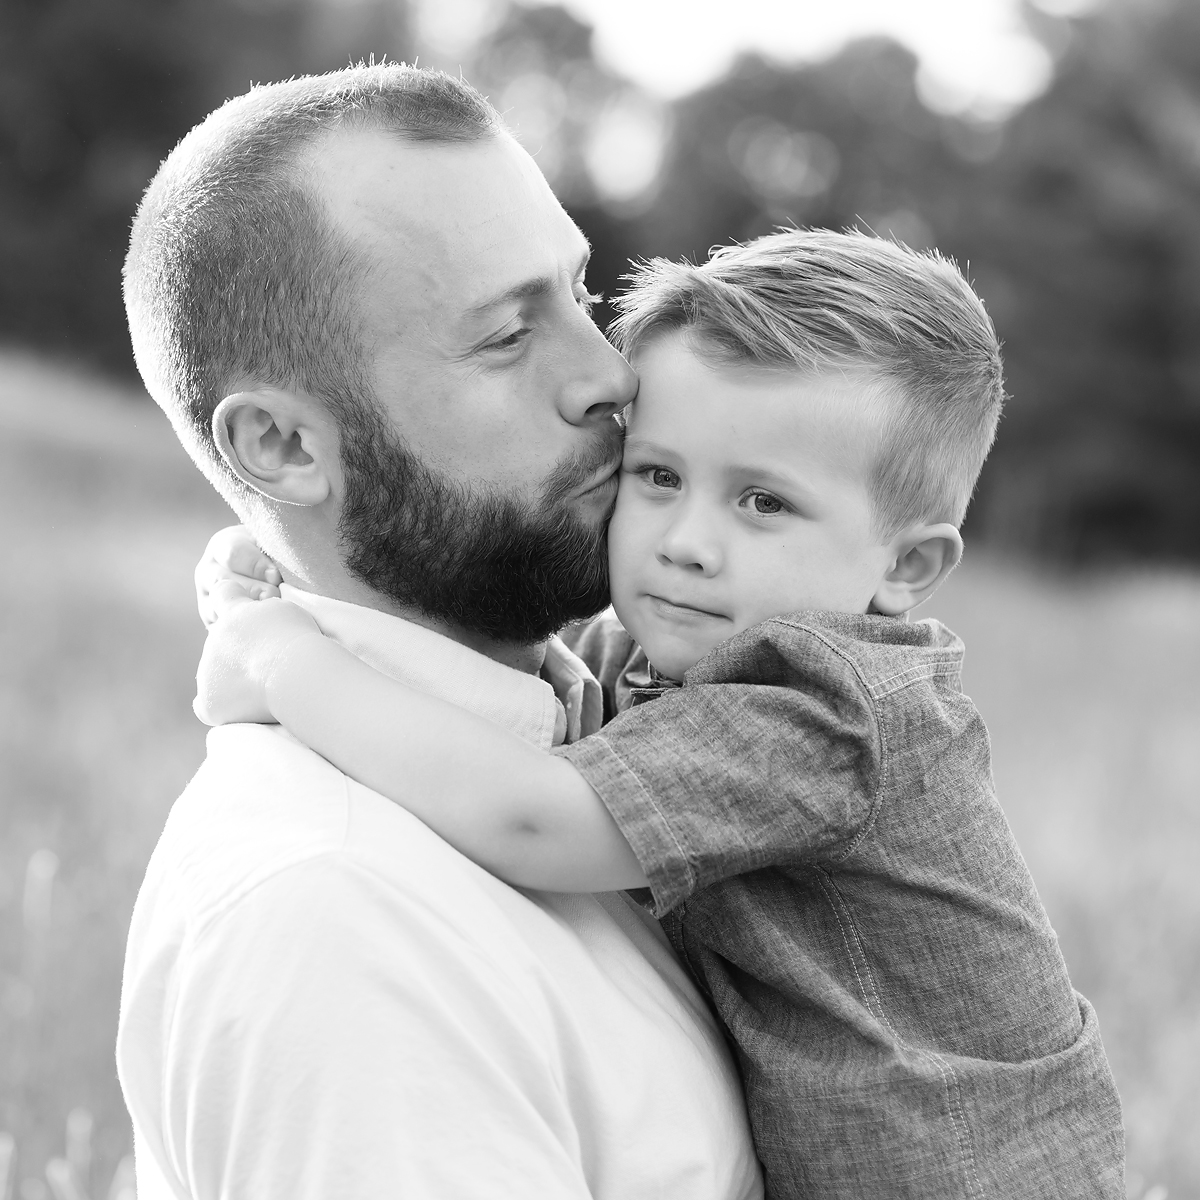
(475, 215)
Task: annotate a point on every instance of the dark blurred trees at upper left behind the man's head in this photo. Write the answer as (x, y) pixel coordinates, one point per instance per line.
(93, 95)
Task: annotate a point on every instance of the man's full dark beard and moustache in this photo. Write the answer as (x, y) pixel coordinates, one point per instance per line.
(485, 565)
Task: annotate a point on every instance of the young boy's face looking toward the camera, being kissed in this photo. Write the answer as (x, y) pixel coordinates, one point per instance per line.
(743, 496)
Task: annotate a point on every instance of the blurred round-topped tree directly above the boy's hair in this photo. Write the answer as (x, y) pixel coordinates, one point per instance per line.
(836, 143)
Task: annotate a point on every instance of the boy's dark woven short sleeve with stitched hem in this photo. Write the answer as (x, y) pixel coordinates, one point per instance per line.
(770, 755)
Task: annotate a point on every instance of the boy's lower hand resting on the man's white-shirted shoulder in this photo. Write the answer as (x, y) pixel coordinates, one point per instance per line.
(242, 650)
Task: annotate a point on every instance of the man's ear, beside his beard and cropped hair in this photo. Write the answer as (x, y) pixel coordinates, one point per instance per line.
(280, 443)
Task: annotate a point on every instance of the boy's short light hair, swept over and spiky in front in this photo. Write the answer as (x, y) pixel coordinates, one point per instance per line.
(817, 301)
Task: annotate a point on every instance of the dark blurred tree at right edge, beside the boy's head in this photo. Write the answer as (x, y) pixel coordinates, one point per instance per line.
(1084, 233)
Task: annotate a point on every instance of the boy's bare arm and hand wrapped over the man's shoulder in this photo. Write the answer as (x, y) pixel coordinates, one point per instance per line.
(527, 817)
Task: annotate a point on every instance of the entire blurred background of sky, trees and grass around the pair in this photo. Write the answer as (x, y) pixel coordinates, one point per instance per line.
(1053, 148)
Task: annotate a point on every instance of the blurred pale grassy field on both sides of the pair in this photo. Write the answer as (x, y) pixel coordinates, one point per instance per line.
(1089, 685)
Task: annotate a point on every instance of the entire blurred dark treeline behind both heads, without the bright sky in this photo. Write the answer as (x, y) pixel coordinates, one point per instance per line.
(1079, 219)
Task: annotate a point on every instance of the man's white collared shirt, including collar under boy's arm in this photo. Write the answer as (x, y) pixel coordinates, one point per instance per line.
(322, 999)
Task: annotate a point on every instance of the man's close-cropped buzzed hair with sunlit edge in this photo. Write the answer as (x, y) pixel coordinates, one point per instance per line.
(236, 271)
